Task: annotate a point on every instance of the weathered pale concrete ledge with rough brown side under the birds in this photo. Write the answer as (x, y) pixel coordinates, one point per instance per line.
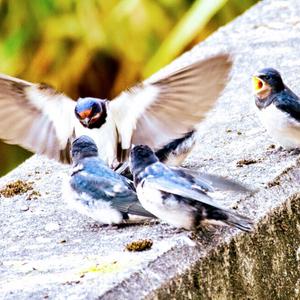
(51, 252)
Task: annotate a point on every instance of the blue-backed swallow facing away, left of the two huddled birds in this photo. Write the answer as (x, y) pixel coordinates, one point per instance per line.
(97, 191)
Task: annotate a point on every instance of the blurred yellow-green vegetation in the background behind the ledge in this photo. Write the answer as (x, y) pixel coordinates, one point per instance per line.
(100, 47)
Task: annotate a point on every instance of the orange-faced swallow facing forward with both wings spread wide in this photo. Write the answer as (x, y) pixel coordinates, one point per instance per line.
(156, 112)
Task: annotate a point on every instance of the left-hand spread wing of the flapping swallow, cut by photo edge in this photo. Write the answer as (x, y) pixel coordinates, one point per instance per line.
(36, 117)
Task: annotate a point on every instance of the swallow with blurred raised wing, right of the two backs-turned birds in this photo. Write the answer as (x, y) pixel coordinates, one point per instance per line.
(178, 196)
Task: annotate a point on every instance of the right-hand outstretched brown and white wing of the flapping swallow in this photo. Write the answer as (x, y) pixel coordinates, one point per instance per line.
(159, 111)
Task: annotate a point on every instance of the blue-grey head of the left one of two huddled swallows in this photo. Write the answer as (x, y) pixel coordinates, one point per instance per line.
(83, 147)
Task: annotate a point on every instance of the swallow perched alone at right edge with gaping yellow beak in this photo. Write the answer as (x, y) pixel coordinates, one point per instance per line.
(278, 108)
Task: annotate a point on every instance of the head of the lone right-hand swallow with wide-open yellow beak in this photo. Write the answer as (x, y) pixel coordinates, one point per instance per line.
(265, 82)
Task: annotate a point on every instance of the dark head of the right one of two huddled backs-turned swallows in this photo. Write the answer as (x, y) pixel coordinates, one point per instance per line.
(141, 156)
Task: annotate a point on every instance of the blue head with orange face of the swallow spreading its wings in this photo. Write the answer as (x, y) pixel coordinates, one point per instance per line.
(91, 112)
